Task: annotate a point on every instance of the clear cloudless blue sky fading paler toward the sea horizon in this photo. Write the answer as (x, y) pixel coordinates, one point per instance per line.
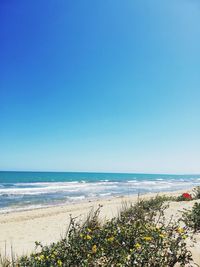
(108, 86)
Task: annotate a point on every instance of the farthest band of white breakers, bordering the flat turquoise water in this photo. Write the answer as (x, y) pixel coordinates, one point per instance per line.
(75, 186)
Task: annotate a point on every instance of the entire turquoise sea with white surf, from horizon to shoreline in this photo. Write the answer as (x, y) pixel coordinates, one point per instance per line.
(27, 190)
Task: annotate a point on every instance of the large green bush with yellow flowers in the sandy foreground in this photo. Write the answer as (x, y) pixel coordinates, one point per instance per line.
(139, 236)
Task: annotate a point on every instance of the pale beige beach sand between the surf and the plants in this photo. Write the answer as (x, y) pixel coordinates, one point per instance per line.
(21, 229)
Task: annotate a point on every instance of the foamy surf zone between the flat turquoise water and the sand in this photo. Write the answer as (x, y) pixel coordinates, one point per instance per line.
(39, 194)
